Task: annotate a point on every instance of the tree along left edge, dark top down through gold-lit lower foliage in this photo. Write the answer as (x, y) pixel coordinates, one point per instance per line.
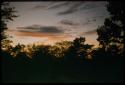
(7, 14)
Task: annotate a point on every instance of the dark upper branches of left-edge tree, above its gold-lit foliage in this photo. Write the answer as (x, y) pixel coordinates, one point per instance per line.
(7, 14)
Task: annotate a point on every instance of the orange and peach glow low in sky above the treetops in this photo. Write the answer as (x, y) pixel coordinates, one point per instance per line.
(43, 38)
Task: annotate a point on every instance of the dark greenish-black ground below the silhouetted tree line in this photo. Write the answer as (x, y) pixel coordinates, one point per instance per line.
(62, 73)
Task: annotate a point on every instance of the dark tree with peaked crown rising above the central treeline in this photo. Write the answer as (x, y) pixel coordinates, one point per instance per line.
(78, 51)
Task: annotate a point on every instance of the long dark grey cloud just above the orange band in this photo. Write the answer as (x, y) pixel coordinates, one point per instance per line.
(41, 29)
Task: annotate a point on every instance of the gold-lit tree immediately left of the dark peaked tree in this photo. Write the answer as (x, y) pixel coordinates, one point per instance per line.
(58, 50)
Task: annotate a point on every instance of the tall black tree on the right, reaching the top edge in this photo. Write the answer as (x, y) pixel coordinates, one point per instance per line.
(112, 32)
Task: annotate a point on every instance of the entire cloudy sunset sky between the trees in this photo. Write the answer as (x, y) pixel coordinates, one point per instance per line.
(55, 21)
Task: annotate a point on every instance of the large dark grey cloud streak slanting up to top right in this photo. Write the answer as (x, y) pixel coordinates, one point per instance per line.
(81, 5)
